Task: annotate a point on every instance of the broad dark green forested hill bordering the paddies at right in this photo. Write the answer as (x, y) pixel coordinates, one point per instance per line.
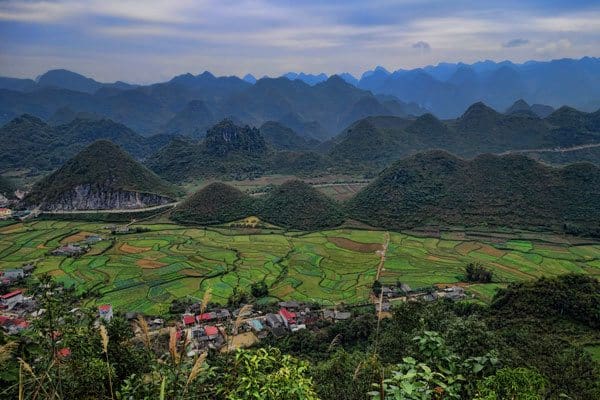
(439, 188)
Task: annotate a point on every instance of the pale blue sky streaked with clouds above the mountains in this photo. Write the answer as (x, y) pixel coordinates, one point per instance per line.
(143, 41)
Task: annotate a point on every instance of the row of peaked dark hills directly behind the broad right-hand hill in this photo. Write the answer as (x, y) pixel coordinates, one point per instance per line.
(376, 141)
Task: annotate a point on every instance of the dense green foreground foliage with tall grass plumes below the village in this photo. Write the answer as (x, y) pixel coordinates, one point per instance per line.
(425, 351)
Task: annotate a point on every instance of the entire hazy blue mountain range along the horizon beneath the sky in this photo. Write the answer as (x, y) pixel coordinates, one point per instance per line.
(314, 105)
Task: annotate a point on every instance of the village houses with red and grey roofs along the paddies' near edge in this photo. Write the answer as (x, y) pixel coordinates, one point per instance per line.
(220, 329)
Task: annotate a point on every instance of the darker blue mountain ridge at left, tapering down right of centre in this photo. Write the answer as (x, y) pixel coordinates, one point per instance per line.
(189, 105)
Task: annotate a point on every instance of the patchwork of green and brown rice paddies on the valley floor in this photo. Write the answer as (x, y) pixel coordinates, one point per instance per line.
(145, 271)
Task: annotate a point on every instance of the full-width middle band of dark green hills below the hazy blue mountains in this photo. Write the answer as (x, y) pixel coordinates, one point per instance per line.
(233, 150)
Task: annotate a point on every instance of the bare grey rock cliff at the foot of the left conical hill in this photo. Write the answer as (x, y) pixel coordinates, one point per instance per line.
(93, 197)
